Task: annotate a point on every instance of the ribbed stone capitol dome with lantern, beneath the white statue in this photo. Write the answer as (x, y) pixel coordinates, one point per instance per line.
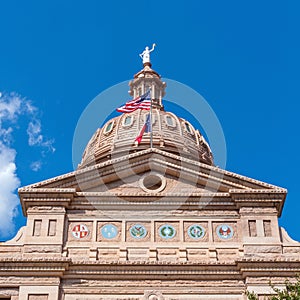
(170, 133)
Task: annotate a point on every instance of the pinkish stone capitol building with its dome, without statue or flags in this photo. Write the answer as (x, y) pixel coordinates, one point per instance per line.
(148, 223)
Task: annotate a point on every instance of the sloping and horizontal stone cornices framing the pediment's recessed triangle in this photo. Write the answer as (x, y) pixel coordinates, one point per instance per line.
(243, 191)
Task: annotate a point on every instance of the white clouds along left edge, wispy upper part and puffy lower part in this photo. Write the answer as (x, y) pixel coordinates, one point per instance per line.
(12, 107)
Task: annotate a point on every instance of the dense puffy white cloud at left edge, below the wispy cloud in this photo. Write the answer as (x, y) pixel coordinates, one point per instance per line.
(9, 183)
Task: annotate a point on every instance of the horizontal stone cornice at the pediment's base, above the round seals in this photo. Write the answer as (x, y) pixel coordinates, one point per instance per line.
(236, 198)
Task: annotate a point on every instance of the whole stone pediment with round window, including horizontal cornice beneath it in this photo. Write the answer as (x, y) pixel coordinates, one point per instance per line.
(116, 184)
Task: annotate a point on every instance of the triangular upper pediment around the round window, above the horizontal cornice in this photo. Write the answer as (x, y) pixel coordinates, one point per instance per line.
(124, 175)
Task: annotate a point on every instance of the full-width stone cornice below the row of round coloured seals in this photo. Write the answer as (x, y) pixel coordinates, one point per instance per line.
(67, 268)
